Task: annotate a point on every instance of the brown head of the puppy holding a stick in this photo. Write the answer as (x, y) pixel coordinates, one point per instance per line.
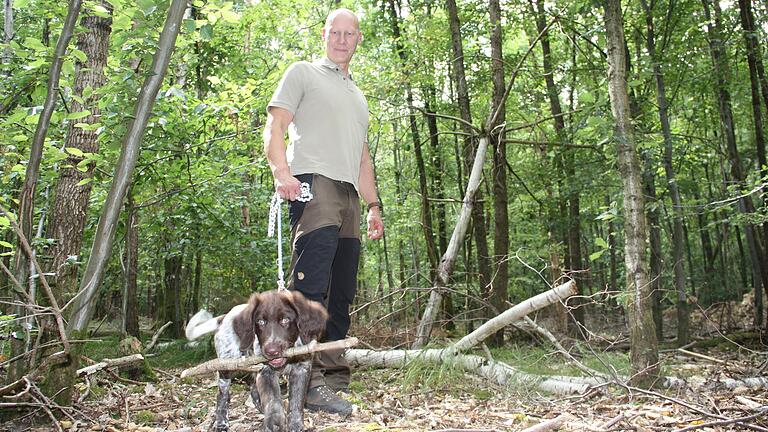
(277, 320)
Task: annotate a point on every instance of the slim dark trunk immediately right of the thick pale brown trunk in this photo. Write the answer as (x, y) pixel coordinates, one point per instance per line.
(674, 192)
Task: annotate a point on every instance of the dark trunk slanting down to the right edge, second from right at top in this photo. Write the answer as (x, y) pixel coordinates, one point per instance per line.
(721, 70)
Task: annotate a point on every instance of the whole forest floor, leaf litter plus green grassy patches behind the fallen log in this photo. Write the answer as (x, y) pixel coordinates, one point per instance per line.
(423, 397)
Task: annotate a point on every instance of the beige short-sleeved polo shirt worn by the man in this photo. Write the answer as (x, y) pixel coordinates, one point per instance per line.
(330, 120)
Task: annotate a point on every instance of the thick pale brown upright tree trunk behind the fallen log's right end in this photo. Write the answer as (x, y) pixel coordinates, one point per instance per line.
(644, 357)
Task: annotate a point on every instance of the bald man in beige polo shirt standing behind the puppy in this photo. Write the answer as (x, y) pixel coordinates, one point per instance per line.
(326, 116)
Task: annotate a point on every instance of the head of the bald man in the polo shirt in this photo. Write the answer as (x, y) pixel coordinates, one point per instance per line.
(341, 34)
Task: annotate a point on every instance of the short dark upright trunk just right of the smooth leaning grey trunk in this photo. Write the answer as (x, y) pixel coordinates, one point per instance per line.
(130, 264)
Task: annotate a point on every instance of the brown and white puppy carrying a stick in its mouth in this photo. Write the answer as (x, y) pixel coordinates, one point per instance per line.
(267, 325)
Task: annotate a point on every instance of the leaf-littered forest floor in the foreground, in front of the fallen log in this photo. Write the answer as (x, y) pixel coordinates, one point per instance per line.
(422, 398)
